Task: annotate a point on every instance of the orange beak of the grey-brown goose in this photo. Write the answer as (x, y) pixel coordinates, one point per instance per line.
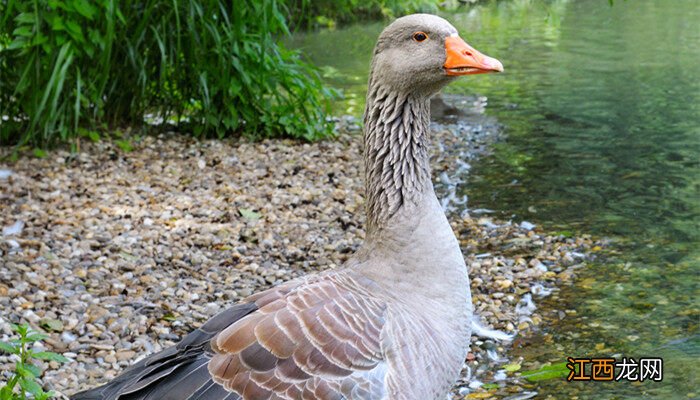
(462, 59)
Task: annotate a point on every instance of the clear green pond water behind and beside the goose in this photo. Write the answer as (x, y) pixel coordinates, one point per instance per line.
(601, 110)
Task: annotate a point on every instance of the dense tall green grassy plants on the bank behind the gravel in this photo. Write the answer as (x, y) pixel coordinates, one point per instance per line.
(69, 68)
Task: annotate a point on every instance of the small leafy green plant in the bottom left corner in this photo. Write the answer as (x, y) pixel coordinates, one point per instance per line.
(24, 380)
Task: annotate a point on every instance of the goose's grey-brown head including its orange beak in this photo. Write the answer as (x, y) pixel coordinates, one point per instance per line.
(421, 53)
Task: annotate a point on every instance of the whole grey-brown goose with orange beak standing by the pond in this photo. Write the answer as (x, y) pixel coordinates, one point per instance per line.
(394, 321)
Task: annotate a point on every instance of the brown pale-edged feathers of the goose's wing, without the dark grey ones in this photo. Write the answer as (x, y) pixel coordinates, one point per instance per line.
(321, 340)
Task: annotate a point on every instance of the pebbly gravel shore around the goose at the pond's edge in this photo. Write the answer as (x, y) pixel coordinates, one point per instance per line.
(119, 254)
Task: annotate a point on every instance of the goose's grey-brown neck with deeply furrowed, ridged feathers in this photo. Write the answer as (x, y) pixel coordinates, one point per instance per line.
(396, 152)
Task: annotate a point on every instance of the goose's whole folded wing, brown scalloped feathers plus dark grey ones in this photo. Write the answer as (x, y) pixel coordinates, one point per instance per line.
(318, 338)
